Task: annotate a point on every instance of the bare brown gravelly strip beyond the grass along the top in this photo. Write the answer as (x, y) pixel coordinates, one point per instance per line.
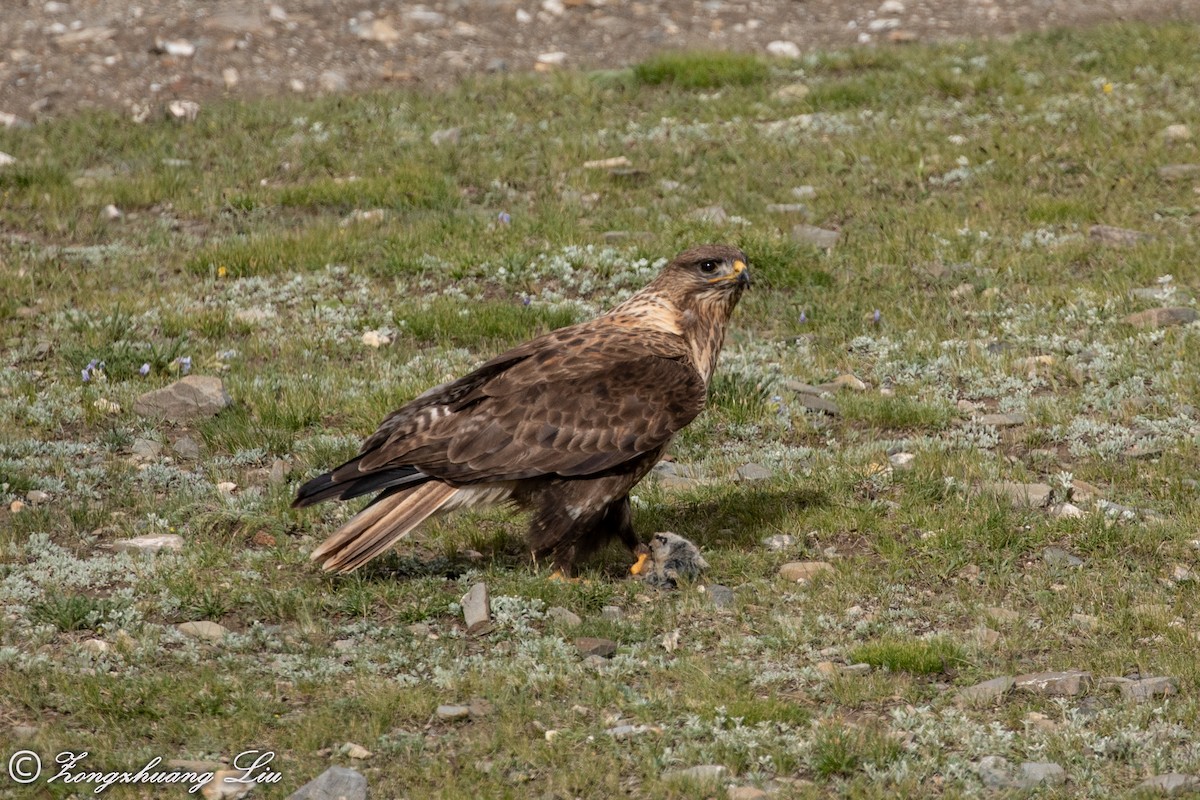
(57, 57)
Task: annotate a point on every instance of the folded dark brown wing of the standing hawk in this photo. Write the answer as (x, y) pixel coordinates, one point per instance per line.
(560, 406)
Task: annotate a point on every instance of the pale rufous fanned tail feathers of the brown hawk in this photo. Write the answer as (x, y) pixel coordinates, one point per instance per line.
(383, 524)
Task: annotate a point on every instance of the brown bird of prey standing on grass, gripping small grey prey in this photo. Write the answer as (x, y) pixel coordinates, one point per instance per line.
(565, 425)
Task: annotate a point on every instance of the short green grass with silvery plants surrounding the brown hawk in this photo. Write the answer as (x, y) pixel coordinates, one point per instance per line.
(964, 179)
